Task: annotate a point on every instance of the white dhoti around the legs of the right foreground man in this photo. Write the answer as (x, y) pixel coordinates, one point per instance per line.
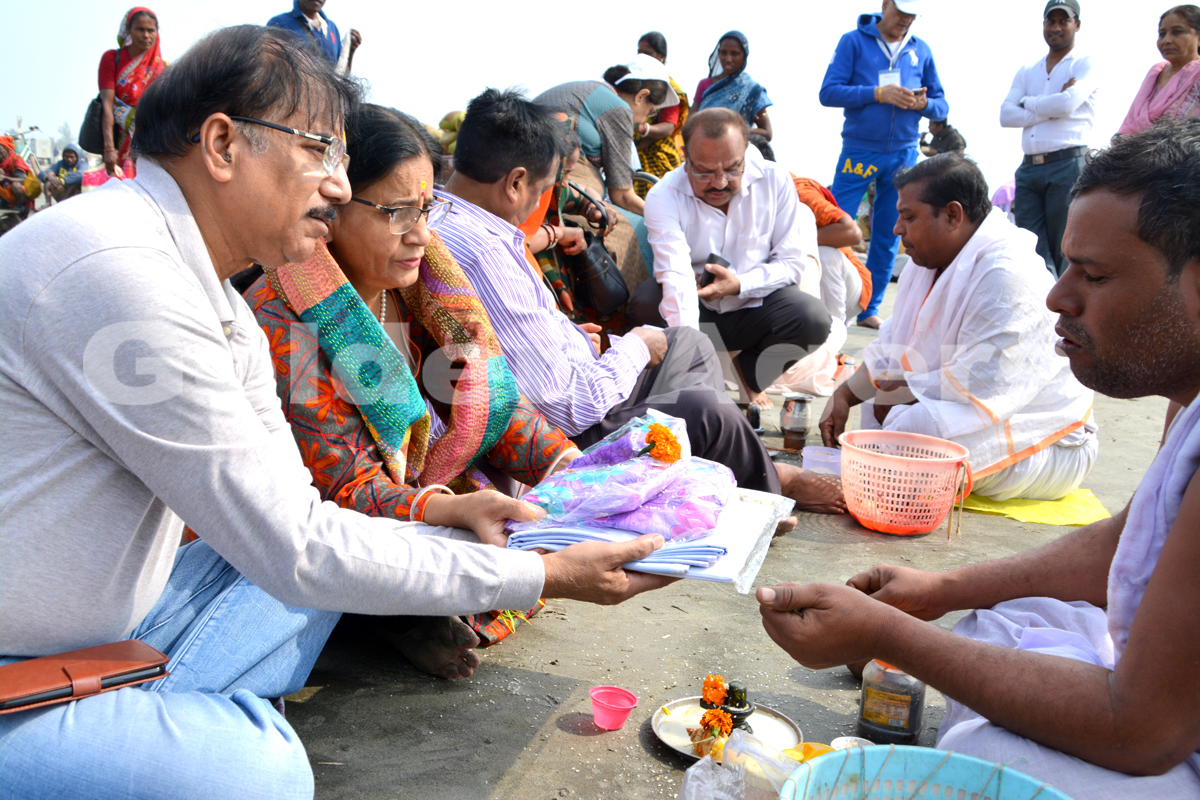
(1070, 630)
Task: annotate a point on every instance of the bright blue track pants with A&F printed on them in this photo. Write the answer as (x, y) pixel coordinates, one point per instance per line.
(856, 171)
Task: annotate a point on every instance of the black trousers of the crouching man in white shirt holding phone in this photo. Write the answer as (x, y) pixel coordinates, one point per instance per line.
(788, 326)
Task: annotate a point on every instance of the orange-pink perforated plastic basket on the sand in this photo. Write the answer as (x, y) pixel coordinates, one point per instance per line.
(902, 484)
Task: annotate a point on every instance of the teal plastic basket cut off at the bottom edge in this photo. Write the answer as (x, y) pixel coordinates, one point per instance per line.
(899, 773)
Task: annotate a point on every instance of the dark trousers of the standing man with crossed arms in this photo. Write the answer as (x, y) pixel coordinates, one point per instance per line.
(1043, 197)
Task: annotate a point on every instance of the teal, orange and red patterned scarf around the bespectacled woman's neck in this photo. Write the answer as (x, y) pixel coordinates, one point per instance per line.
(377, 378)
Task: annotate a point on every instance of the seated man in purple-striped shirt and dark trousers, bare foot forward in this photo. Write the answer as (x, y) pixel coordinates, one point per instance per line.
(507, 157)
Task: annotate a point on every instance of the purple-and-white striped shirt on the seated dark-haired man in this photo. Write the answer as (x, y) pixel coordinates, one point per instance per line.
(553, 358)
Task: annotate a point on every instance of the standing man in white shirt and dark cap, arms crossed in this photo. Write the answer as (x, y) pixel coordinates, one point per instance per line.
(1055, 103)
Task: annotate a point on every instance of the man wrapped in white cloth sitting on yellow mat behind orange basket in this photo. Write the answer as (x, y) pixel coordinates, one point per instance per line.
(969, 352)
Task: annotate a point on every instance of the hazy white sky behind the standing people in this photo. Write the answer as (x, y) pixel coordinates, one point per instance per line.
(430, 58)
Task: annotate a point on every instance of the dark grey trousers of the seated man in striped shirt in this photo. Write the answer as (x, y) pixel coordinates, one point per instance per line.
(689, 384)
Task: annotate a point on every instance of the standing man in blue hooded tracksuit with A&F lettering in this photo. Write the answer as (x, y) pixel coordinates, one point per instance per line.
(886, 80)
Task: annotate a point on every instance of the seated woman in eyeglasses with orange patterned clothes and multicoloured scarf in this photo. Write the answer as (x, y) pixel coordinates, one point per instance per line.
(393, 378)
